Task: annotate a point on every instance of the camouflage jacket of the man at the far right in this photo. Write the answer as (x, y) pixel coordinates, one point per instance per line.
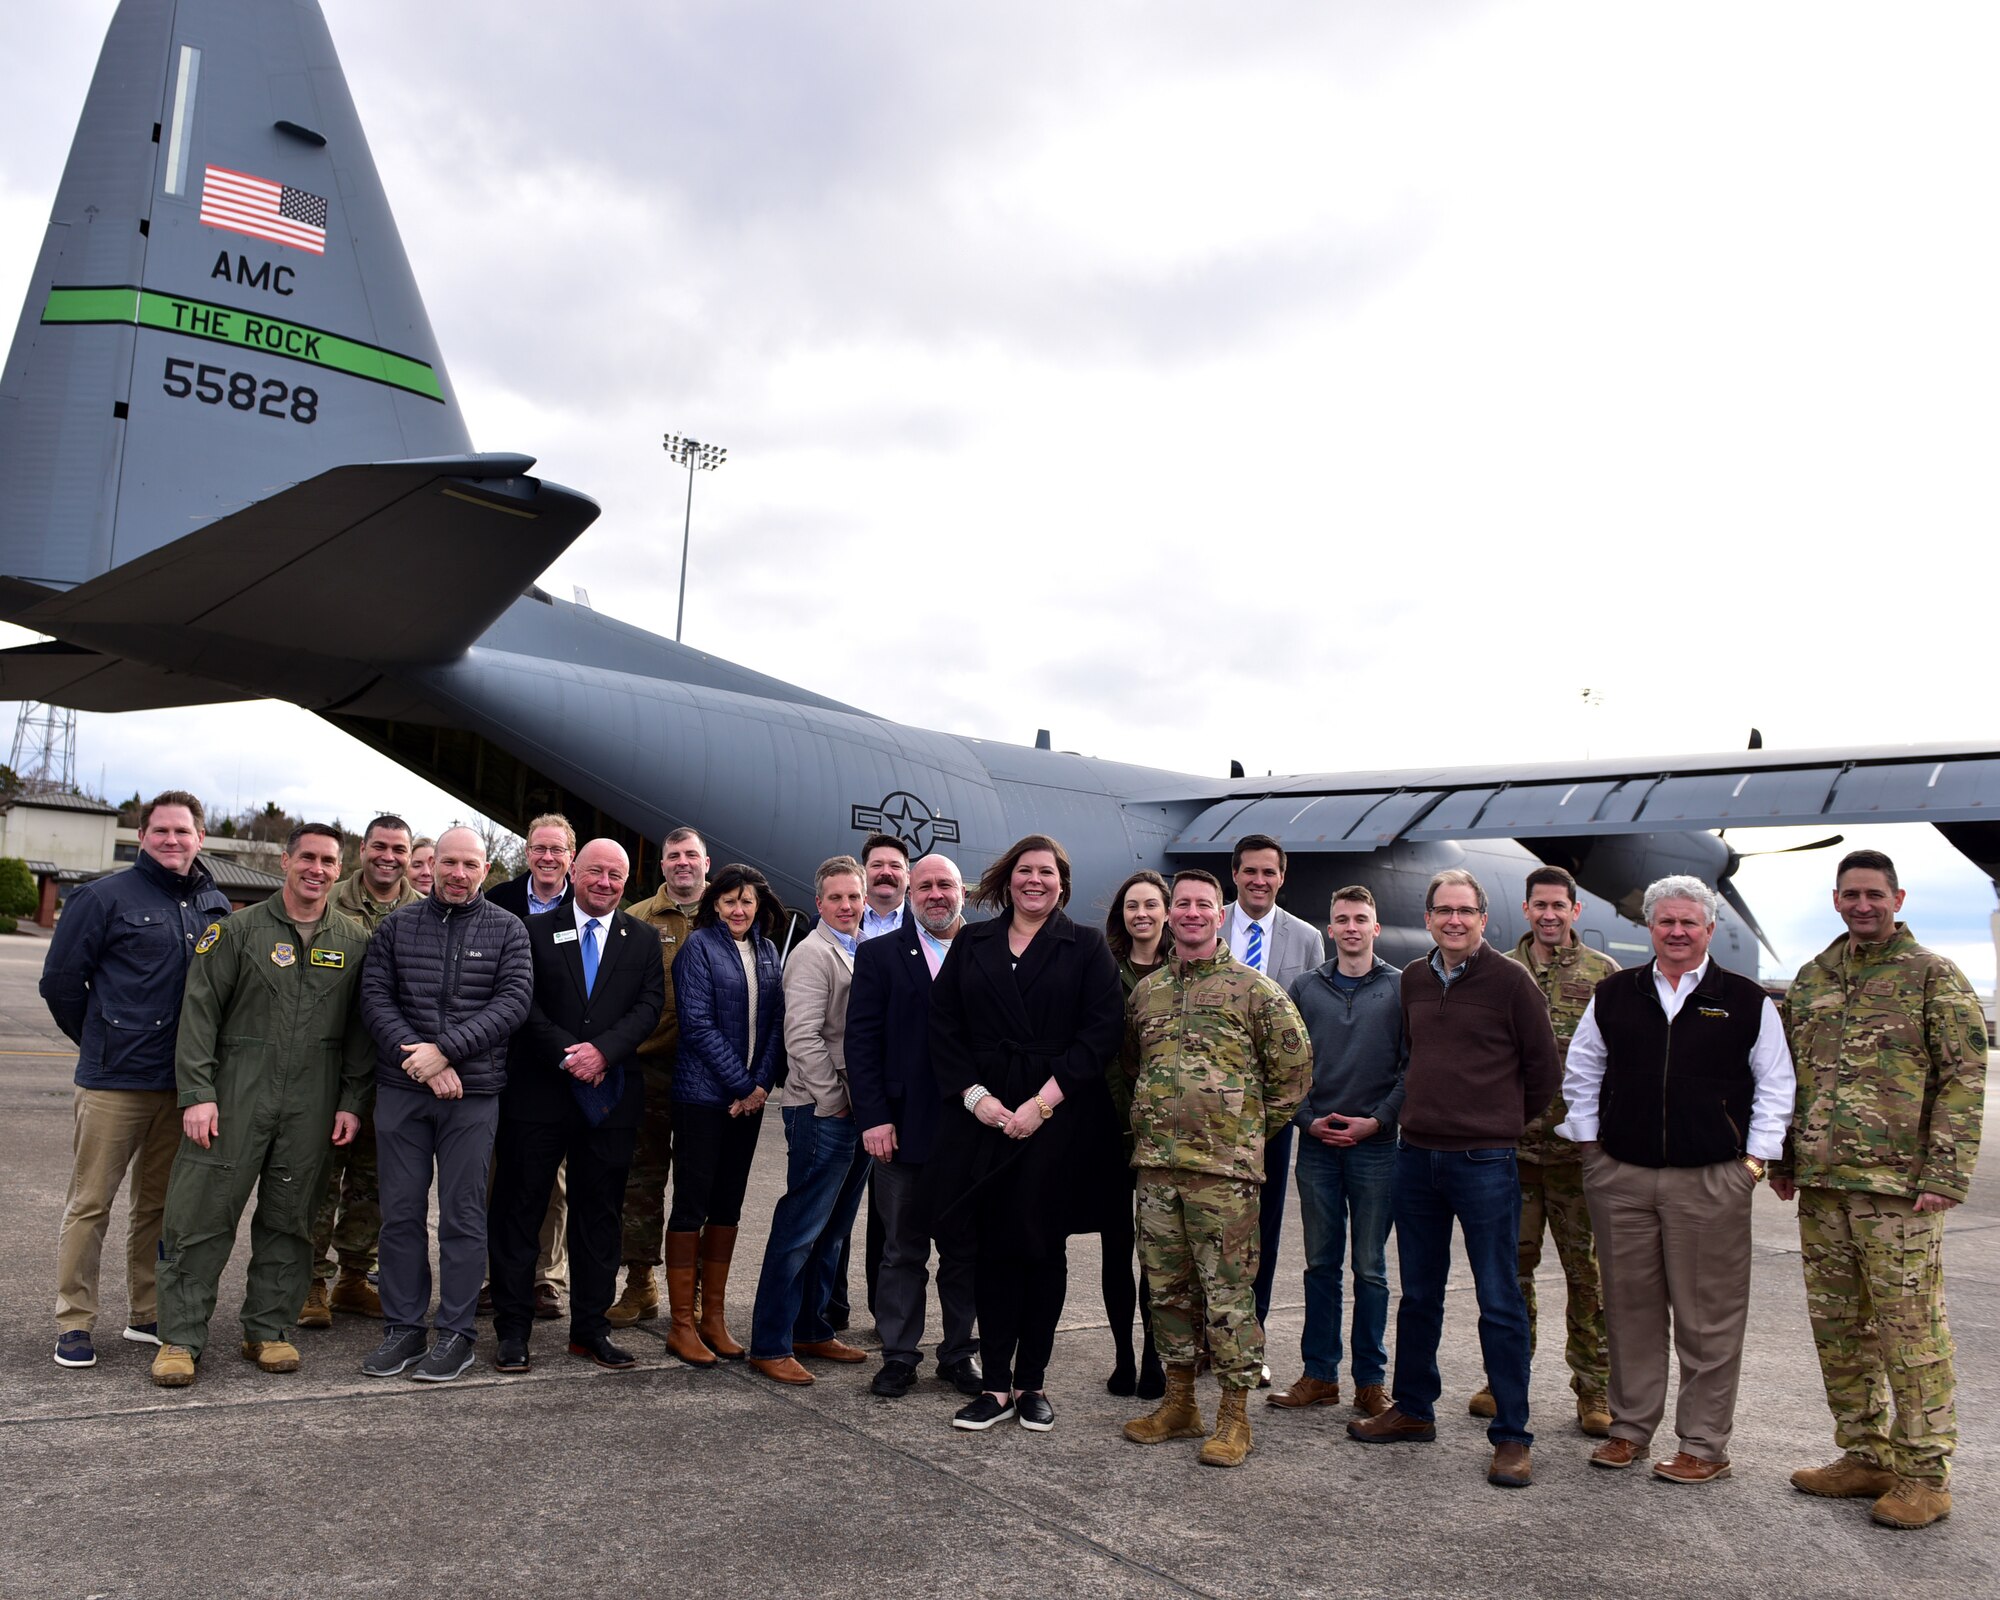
(1891, 1055)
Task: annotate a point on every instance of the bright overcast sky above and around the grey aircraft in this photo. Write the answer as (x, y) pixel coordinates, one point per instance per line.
(1311, 385)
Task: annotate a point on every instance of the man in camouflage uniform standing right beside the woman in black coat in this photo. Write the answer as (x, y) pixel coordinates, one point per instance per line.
(1203, 1035)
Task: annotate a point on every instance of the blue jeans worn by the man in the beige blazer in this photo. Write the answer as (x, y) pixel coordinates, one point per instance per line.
(823, 1189)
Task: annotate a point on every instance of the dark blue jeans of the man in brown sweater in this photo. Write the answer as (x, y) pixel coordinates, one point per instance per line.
(1479, 1189)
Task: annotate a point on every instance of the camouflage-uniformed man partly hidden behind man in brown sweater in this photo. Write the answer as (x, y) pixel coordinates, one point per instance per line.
(1551, 1167)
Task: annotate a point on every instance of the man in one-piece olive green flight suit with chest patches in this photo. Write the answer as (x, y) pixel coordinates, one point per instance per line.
(273, 1071)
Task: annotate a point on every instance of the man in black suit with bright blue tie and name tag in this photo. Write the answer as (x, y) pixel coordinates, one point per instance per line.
(575, 1093)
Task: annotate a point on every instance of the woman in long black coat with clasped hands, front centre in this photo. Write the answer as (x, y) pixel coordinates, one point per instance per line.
(1025, 1019)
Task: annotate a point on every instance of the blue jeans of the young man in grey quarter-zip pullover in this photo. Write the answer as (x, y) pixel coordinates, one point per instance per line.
(1335, 1181)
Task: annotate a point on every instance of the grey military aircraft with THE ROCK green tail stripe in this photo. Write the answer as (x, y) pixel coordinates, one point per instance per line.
(225, 403)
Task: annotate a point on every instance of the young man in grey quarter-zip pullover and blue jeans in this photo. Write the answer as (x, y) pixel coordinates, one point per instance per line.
(1353, 1009)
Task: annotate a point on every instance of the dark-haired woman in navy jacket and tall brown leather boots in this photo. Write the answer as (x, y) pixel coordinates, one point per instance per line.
(729, 997)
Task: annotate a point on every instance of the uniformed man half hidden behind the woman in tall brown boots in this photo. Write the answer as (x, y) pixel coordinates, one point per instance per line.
(683, 881)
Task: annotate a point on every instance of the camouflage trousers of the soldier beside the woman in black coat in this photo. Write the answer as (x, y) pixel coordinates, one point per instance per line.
(1199, 1247)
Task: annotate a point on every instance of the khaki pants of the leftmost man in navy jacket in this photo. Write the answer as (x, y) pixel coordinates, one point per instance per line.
(117, 1129)
